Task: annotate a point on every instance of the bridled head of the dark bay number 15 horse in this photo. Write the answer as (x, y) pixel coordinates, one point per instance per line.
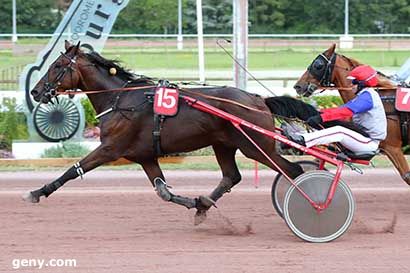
(63, 74)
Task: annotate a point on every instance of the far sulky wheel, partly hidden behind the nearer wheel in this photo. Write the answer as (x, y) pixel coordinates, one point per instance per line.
(281, 185)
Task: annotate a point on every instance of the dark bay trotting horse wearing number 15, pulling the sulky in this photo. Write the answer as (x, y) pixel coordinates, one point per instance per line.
(127, 131)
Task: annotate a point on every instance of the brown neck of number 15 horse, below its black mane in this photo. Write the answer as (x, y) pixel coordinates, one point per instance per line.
(97, 81)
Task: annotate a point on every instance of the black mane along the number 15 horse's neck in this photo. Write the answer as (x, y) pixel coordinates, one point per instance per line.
(122, 72)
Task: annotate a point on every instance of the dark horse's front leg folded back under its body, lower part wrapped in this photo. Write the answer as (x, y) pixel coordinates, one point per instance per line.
(157, 179)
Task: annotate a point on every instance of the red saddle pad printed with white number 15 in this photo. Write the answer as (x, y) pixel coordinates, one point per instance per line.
(166, 101)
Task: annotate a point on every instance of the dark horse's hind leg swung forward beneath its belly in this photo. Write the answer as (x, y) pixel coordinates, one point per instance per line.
(230, 177)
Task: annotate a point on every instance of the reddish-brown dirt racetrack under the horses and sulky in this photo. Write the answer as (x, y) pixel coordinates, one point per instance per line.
(112, 221)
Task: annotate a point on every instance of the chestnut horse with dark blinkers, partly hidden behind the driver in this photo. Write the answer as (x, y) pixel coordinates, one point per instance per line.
(330, 69)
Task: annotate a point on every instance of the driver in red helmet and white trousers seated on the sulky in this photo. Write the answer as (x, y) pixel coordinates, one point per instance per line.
(366, 110)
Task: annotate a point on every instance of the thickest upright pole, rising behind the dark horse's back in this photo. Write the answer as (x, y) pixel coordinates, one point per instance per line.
(240, 42)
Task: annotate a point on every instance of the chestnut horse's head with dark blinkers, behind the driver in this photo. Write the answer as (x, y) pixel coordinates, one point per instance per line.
(327, 69)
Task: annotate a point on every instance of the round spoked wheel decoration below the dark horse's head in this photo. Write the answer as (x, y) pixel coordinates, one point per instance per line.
(57, 122)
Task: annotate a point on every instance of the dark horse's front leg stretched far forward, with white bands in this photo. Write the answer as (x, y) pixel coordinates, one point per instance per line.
(103, 154)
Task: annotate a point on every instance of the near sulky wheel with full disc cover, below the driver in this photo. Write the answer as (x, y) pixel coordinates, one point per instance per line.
(310, 225)
